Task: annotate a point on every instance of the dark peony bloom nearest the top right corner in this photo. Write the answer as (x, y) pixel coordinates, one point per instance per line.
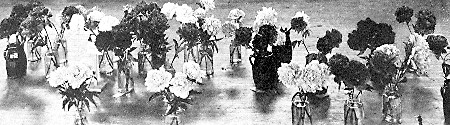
(425, 23)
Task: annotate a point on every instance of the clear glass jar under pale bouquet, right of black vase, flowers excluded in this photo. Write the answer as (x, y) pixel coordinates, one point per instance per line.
(300, 109)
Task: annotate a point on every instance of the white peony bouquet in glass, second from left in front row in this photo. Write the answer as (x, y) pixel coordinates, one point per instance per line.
(177, 89)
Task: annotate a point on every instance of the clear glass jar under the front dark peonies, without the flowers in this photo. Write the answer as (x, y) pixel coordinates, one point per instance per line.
(353, 111)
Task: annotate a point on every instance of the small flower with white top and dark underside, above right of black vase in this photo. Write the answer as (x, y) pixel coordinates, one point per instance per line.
(300, 21)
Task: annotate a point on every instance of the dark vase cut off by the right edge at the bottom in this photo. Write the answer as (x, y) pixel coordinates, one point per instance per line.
(445, 93)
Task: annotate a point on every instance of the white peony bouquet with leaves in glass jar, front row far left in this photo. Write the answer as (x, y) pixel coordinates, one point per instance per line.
(73, 84)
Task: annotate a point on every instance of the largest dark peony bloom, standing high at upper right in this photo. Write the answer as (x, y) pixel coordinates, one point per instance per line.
(370, 34)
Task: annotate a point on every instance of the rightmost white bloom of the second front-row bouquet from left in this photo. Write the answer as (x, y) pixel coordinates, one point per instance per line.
(193, 71)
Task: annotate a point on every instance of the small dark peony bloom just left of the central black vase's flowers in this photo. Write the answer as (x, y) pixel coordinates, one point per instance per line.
(243, 36)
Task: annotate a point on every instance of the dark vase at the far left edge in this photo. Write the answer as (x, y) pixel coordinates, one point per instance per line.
(16, 61)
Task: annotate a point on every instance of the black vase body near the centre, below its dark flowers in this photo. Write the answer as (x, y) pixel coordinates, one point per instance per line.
(264, 68)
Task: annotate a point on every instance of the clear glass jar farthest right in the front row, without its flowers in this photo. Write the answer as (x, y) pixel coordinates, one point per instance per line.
(392, 106)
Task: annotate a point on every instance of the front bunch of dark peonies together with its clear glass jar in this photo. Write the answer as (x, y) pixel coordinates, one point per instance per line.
(355, 76)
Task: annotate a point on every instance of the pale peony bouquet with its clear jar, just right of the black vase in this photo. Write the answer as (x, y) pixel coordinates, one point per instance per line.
(308, 80)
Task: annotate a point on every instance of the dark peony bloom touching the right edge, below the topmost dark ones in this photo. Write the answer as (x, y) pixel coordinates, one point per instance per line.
(437, 44)
